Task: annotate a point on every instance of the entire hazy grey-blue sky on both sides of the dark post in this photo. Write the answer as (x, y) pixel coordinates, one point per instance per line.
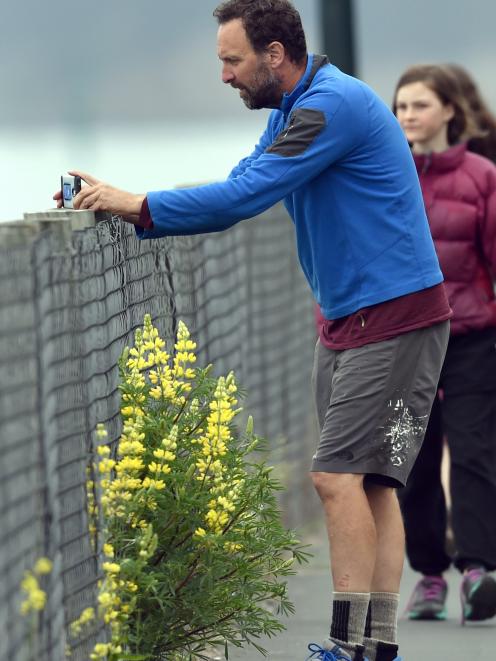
(123, 60)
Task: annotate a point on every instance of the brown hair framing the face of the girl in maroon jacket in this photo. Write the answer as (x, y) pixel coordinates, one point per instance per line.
(439, 79)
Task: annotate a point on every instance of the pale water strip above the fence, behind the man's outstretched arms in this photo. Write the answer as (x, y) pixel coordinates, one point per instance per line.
(132, 157)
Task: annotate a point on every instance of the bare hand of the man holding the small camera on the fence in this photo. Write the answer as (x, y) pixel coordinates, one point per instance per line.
(98, 196)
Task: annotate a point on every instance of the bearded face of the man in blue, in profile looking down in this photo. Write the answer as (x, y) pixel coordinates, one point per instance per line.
(246, 70)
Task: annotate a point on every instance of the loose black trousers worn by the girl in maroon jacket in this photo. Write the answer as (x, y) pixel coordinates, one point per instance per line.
(466, 416)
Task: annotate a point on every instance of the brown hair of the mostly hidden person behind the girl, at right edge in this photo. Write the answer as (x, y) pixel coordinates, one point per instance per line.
(485, 143)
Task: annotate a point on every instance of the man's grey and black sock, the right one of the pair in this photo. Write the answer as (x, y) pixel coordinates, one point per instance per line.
(381, 627)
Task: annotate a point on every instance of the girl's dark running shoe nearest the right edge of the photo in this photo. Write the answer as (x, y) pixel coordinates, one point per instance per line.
(478, 595)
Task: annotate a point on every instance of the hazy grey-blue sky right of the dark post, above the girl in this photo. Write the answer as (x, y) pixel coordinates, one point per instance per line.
(393, 34)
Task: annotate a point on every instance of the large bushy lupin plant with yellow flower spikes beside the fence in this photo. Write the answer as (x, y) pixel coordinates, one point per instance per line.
(196, 553)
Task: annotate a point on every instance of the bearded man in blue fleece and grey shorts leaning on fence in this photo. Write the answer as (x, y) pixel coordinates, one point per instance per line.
(337, 156)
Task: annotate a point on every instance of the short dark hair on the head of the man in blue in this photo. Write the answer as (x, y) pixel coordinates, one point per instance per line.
(266, 21)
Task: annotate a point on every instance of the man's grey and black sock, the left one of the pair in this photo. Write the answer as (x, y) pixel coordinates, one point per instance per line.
(349, 612)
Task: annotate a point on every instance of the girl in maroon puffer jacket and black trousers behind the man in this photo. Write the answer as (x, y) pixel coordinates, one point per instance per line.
(459, 190)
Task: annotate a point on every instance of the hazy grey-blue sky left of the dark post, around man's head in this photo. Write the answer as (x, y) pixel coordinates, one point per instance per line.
(114, 60)
